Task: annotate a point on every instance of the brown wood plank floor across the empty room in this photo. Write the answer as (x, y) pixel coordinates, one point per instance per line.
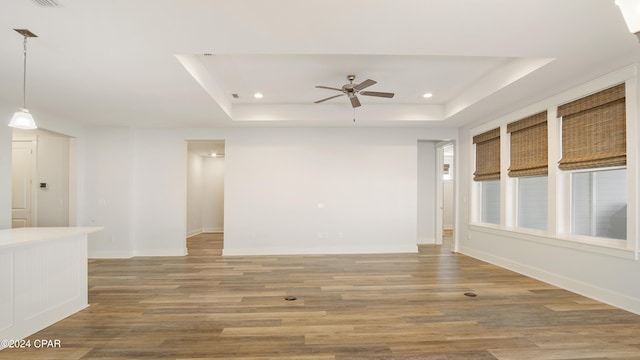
(393, 306)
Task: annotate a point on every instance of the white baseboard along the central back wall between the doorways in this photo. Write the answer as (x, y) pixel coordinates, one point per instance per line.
(318, 251)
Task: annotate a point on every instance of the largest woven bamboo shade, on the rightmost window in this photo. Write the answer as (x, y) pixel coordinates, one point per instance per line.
(594, 131)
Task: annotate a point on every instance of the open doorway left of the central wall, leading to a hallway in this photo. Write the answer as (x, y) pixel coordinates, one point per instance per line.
(205, 187)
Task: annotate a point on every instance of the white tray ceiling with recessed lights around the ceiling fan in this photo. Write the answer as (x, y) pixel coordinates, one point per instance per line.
(143, 62)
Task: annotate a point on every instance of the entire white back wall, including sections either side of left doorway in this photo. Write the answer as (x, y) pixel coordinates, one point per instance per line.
(134, 183)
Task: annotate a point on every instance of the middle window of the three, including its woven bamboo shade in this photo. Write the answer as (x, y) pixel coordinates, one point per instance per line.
(529, 165)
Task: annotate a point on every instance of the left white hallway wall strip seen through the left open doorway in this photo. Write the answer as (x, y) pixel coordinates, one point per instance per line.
(194, 193)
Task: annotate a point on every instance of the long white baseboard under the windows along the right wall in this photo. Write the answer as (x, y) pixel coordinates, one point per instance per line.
(597, 293)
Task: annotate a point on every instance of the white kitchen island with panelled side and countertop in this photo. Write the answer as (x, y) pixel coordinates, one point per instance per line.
(43, 277)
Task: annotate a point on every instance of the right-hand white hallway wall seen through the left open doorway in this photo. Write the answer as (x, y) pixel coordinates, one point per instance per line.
(213, 194)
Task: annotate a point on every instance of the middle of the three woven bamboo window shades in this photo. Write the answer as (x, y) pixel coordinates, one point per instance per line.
(529, 146)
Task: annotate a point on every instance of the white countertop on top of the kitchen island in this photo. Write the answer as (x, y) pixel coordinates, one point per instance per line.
(25, 236)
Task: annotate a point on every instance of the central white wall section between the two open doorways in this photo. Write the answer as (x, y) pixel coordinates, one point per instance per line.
(291, 191)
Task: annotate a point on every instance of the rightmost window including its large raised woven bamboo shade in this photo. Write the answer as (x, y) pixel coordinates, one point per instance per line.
(594, 137)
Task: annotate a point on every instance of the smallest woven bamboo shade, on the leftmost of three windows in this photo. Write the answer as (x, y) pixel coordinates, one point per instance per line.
(487, 155)
